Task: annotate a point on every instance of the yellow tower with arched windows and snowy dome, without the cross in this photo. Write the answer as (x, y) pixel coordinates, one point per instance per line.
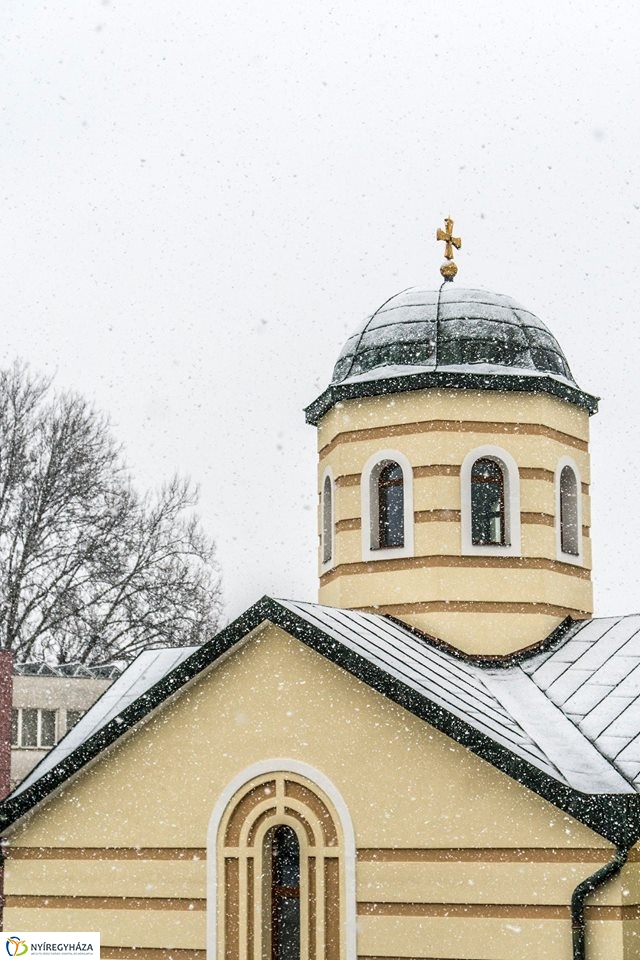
(454, 472)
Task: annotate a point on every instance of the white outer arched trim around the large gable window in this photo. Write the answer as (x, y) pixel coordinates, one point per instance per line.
(277, 765)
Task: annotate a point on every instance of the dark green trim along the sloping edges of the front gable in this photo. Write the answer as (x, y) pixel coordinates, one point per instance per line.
(614, 816)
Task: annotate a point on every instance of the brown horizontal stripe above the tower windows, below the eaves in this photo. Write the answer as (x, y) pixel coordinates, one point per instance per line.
(454, 426)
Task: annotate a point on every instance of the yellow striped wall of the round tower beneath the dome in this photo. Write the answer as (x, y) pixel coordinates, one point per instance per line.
(480, 609)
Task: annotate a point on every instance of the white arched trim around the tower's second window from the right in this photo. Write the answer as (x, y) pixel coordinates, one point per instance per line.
(511, 504)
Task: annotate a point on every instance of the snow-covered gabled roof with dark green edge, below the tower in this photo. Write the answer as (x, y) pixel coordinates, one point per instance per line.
(540, 718)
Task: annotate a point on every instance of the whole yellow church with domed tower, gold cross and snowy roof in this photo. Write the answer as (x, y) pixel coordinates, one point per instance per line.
(440, 760)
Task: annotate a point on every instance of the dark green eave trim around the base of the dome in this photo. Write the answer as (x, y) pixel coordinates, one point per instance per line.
(447, 378)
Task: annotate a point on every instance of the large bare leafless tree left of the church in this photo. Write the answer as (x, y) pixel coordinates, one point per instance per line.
(89, 570)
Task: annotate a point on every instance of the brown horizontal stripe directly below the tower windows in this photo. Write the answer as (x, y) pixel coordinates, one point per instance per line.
(474, 563)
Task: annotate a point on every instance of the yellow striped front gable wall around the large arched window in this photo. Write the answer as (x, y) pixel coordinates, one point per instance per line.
(454, 859)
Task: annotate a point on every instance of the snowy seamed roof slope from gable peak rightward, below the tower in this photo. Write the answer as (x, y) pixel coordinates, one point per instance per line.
(501, 703)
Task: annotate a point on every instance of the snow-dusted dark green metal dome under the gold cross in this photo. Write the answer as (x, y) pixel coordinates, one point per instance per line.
(451, 328)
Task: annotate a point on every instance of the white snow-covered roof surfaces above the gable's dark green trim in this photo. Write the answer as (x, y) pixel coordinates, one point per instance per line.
(571, 712)
